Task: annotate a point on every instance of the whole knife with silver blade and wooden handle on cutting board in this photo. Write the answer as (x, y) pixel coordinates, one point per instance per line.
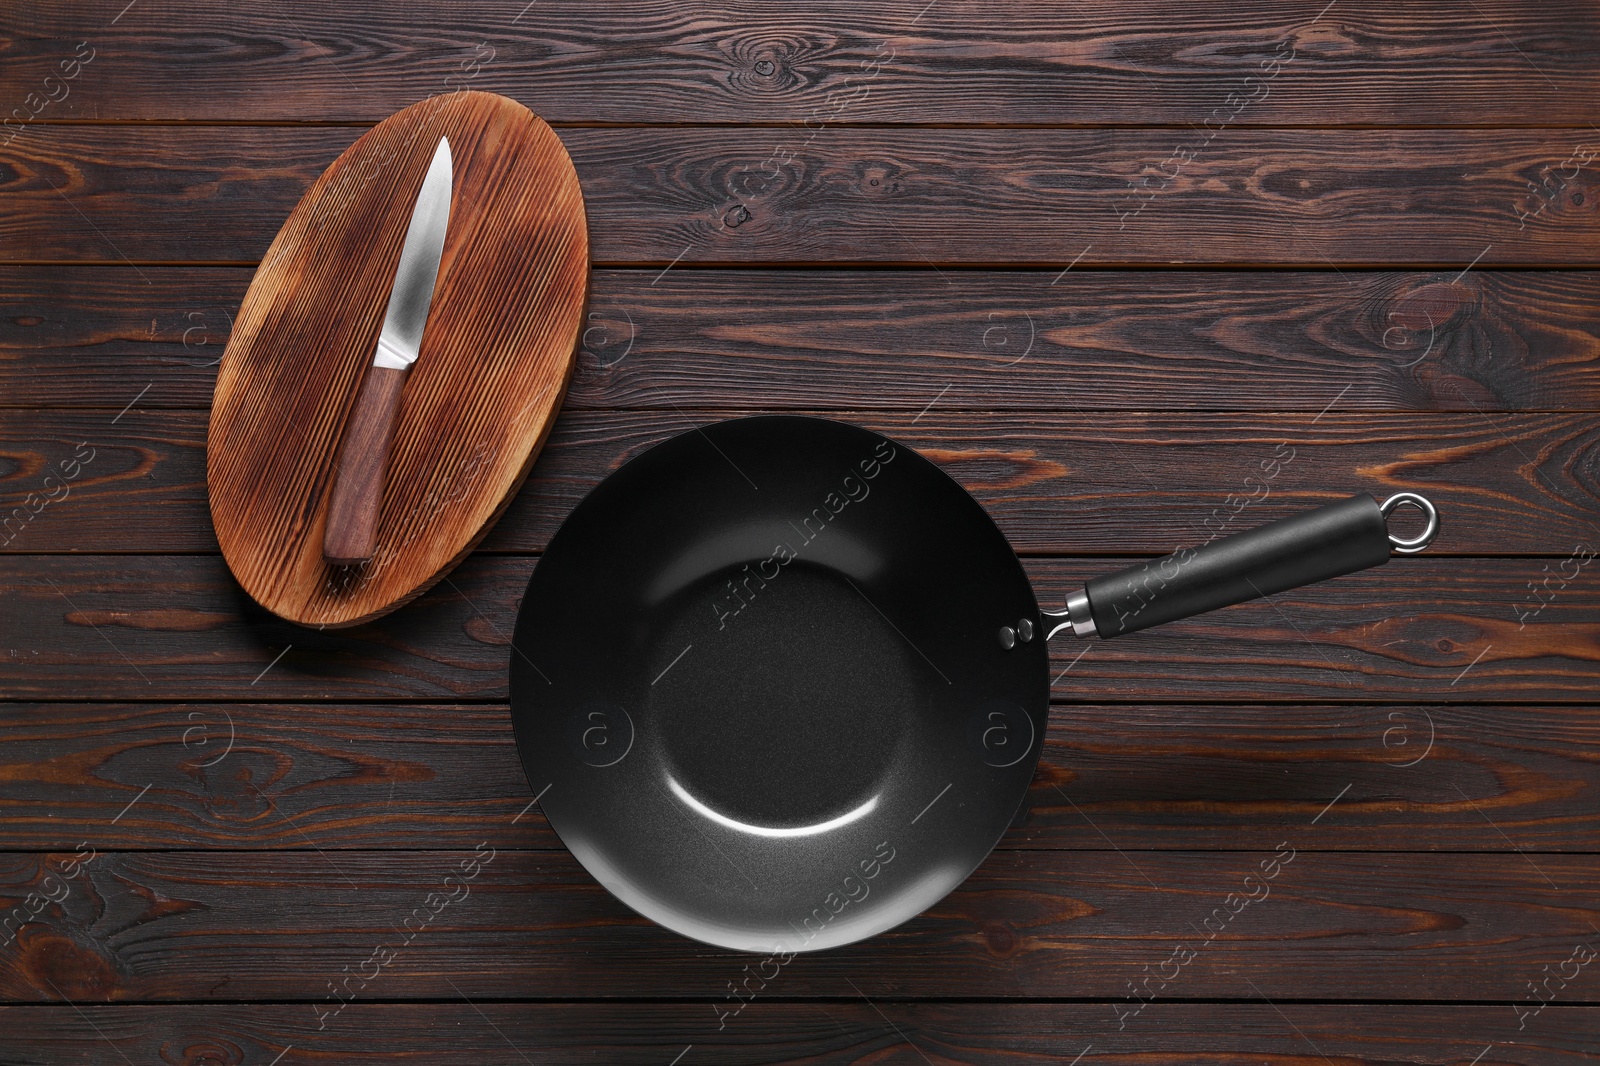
(359, 483)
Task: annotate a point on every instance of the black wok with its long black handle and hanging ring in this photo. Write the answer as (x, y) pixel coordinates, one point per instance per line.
(782, 684)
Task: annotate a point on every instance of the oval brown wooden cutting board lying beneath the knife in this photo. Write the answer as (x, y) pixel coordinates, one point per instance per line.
(478, 404)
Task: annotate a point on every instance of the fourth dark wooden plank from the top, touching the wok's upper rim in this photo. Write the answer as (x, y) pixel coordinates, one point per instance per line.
(1063, 483)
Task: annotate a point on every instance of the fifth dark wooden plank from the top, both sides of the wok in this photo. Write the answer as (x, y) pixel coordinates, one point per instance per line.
(1418, 630)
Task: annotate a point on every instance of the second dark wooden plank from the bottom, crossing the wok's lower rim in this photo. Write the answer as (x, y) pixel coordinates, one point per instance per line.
(194, 926)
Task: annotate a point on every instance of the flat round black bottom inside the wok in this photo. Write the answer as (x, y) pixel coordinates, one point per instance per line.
(793, 715)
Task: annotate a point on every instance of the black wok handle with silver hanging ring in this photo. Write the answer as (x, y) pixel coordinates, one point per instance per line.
(1314, 547)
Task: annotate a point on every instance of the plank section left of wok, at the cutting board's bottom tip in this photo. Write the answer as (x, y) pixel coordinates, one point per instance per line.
(180, 628)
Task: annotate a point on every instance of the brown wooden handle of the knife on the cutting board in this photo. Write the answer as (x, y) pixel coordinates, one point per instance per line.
(359, 483)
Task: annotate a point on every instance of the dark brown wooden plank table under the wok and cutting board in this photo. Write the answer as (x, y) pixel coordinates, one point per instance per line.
(1105, 263)
